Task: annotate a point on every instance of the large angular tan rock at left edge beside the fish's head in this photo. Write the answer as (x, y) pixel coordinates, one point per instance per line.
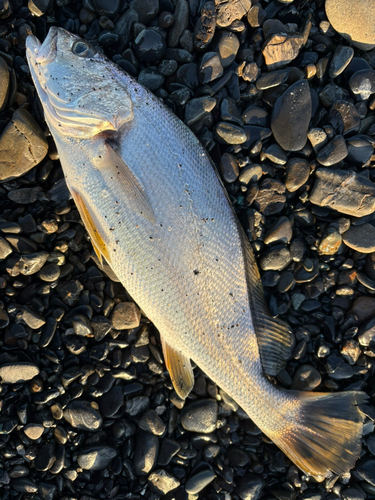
(22, 145)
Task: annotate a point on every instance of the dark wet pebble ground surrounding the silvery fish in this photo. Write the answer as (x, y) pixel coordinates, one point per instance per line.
(282, 96)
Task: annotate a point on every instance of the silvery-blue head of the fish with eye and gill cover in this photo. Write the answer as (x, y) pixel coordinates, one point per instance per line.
(80, 89)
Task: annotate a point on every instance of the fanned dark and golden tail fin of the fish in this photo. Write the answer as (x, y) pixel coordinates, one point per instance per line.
(326, 434)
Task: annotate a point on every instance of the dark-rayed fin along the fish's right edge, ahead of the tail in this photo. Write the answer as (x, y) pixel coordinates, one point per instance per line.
(275, 339)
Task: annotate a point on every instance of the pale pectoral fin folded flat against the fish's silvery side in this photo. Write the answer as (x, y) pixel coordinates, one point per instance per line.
(115, 169)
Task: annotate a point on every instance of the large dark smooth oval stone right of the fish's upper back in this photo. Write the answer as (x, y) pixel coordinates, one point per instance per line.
(291, 117)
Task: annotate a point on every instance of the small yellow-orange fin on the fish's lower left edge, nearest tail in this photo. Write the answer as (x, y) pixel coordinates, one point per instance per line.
(180, 370)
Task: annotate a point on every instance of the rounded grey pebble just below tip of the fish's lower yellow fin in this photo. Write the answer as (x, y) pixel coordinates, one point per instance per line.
(200, 416)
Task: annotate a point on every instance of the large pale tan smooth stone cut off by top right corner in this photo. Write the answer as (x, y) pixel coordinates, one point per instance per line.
(352, 19)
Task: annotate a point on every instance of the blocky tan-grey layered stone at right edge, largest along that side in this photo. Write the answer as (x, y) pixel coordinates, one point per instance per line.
(344, 191)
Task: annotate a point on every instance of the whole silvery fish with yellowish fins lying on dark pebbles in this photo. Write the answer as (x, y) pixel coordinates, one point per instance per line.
(159, 216)
